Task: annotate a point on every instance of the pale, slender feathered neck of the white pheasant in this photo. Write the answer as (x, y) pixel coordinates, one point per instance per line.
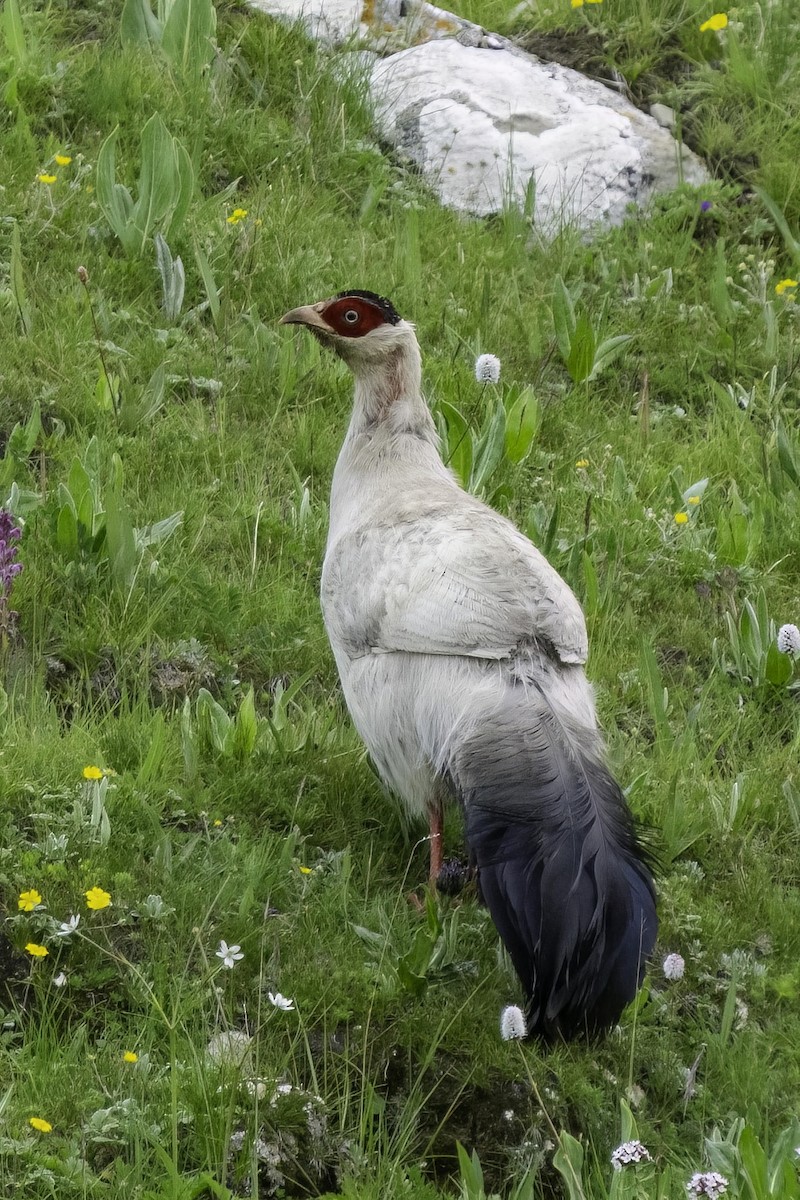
(389, 395)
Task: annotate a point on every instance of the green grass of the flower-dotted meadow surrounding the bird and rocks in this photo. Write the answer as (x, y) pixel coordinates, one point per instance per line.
(274, 833)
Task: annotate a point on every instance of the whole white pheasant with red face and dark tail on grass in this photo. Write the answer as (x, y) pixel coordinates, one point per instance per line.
(461, 655)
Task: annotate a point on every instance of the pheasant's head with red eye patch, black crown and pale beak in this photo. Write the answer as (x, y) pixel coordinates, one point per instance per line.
(363, 328)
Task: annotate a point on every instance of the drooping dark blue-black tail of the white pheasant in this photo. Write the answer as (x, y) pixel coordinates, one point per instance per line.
(560, 866)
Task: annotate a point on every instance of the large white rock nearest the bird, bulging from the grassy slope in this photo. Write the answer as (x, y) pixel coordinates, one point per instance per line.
(482, 125)
